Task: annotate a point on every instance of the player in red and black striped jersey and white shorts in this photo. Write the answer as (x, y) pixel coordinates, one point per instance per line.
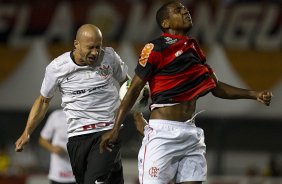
(177, 72)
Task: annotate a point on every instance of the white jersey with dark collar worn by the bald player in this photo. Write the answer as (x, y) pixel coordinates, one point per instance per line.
(89, 96)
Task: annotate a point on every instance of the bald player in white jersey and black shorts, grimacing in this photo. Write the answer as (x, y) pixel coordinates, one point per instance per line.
(85, 77)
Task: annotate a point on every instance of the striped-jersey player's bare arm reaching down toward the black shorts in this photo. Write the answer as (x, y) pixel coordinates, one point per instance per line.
(128, 101)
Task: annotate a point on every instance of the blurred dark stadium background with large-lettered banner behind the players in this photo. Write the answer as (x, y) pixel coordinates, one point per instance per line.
(243, 43)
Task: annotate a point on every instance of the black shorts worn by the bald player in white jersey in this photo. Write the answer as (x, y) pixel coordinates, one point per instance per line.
(89, 165)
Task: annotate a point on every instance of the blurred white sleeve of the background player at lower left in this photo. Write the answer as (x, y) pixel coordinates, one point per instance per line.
(48, 130)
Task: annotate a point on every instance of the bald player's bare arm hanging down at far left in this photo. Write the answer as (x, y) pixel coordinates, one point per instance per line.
(36, 115)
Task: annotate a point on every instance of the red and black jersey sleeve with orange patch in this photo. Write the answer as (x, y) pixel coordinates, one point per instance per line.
(145, 66)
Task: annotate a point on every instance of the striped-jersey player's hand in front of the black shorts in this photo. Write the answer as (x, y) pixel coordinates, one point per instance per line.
(107, 140)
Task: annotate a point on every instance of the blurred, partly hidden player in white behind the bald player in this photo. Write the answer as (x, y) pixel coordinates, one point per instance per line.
(53, 137)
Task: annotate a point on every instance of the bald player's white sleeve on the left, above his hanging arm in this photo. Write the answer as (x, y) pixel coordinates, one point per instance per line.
(50, 82)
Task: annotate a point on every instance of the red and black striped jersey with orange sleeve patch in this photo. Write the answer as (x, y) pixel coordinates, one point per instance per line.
(176, 69)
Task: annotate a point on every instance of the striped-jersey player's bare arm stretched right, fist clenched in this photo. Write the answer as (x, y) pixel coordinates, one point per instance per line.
(227, 91)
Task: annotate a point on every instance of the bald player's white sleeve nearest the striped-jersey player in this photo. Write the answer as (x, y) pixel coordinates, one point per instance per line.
(120, 69)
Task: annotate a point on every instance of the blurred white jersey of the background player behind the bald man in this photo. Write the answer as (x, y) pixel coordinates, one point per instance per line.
(55, 130)
